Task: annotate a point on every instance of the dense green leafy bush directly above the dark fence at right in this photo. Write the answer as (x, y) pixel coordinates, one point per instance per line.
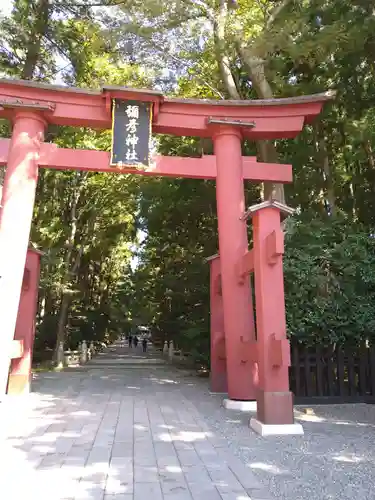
(329, 270)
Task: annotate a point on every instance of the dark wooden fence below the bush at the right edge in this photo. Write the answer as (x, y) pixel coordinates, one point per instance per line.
(336, 374)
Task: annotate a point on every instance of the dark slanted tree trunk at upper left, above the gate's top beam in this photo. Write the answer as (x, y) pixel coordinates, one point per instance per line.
(33, 50)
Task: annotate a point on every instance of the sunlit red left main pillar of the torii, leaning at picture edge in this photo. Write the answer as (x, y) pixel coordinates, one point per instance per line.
(15, 221)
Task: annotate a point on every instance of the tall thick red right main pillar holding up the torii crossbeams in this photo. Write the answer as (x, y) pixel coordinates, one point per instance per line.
(233, 244)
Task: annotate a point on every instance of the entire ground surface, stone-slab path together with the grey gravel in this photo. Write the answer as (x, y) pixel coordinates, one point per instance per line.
(130, 427)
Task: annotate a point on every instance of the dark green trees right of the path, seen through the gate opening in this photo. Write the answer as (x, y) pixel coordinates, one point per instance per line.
(171, 283)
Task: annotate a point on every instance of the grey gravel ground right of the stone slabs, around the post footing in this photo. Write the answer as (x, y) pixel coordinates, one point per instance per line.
(335, 459)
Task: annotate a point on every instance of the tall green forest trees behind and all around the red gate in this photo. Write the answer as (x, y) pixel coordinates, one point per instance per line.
(126, 250)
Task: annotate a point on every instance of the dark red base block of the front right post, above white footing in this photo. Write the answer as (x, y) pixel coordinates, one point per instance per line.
(275, 408)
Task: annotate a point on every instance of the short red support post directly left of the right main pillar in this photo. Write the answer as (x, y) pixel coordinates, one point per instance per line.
(218, 369)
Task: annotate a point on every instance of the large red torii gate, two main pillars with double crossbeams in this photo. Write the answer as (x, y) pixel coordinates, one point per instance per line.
(31, 106)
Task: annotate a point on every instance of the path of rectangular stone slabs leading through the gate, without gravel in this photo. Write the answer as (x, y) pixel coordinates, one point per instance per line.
(120, 428)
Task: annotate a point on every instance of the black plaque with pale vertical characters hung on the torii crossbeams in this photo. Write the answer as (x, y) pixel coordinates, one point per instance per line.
(131, 133)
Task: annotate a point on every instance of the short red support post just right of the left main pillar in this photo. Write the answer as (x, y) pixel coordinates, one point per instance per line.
(20, 369)
